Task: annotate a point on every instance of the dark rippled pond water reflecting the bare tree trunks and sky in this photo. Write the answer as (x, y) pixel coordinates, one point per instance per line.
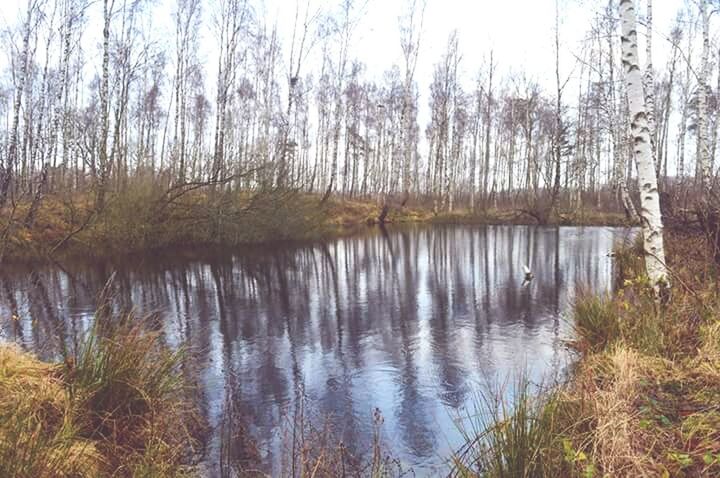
(415, 322)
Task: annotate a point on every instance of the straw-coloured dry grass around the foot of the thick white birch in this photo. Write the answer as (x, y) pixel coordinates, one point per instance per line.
(651, 394)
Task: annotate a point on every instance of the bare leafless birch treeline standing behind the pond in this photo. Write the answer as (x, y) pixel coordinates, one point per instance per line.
(294, 110)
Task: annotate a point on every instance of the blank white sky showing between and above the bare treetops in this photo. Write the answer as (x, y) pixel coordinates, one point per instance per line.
(519, 31)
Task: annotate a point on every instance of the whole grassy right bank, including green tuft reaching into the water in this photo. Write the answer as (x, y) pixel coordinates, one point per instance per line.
(643, 400)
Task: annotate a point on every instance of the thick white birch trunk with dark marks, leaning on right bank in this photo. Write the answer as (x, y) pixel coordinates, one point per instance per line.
(649, 197)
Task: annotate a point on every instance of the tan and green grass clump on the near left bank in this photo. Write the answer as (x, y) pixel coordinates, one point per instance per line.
(116, 408)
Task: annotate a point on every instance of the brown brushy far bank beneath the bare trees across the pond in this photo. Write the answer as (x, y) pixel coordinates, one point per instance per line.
(143, 219)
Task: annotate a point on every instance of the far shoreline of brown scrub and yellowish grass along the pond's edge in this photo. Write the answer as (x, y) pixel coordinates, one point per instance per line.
(112, 237)
